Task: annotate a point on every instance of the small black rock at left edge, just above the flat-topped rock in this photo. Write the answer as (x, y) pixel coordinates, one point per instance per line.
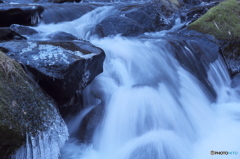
(7, 34)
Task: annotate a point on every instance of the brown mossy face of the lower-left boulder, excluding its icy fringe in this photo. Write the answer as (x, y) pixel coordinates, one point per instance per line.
(24, 108)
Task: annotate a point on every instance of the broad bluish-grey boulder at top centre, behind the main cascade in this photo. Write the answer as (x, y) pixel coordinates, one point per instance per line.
(133, 20)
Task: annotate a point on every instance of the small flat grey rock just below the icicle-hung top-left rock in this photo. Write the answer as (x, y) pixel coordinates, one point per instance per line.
(23, 30)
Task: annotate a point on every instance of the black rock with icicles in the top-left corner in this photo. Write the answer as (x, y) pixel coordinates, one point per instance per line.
(20, 14)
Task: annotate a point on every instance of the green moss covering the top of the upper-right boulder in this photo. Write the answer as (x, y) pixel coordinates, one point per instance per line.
(221, 21)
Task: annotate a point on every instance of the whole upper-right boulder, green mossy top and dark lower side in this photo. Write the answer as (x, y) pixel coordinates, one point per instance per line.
(222, 21)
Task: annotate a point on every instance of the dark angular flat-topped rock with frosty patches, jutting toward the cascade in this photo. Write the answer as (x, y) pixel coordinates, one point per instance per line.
(63, 69)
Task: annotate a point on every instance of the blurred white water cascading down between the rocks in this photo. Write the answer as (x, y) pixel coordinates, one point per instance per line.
(153, 107)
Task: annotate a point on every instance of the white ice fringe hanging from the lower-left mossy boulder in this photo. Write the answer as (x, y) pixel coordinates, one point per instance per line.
(46, 144)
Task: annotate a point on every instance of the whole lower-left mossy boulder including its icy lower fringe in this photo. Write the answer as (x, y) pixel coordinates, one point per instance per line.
(27, 114)
